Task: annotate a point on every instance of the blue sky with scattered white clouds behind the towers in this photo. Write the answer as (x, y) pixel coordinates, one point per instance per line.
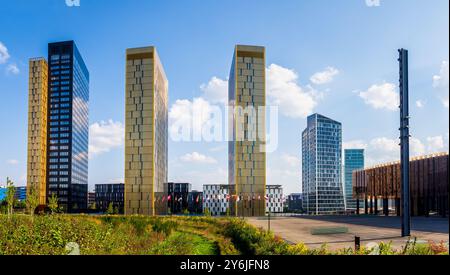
(337, 58)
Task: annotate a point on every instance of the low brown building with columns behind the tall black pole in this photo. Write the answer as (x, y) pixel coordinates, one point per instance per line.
(429, 180)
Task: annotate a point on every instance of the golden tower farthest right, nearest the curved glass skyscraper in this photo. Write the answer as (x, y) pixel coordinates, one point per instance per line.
(247, 157)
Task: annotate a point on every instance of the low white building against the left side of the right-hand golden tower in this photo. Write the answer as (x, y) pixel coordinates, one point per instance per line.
(216, 199)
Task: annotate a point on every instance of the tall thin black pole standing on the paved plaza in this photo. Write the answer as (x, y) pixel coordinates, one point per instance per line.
(404, 144)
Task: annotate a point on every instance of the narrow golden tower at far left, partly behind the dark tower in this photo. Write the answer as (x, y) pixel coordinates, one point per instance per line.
(37, 128)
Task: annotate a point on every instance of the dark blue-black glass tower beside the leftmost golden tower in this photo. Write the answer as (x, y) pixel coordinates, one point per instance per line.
(68, 134)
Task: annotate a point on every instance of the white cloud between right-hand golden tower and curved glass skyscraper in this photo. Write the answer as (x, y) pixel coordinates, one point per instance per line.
(285, 92)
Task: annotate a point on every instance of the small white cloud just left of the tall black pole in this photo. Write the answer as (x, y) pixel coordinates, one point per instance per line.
(382, 96)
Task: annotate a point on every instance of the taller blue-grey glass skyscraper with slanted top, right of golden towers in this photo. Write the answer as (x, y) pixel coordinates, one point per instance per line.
(322, 162)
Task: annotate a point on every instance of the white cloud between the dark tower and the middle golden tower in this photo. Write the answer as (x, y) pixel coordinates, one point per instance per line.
(105, 136)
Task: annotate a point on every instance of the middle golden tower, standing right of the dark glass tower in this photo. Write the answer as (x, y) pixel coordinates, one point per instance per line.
(146, 133)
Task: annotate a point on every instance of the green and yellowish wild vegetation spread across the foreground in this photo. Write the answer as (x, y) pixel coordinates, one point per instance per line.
(138, 235)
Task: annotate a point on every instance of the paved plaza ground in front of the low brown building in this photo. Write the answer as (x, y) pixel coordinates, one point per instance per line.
(369, 228)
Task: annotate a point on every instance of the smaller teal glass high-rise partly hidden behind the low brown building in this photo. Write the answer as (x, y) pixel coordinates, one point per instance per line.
(354, 160)
